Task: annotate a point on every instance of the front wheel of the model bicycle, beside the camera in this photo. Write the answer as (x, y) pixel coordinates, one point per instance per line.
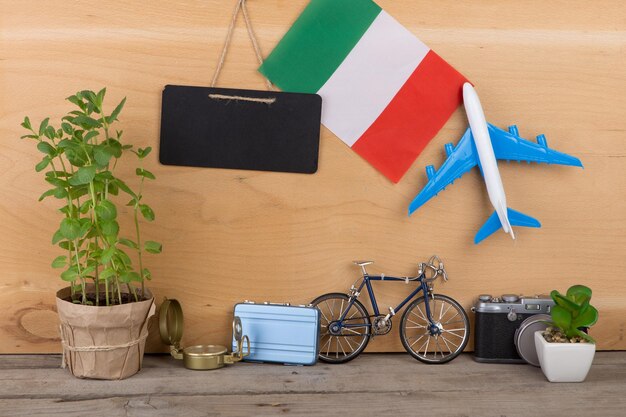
(438, 344)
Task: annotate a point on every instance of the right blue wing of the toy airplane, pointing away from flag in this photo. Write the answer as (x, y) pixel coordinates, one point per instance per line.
(510, 146)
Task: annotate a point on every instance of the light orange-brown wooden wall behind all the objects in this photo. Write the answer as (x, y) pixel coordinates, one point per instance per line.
(551, 67)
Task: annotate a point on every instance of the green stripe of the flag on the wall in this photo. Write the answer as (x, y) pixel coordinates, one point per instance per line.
(317, 43)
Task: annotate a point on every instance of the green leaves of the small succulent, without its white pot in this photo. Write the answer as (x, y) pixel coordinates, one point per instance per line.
(573, 312)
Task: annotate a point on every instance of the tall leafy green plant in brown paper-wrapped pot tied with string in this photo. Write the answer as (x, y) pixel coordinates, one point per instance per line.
(105, 309)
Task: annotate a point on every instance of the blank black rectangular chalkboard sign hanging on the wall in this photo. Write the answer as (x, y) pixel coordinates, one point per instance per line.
(240, 129)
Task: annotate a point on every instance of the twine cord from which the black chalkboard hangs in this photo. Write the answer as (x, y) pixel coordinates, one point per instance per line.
(241, 5)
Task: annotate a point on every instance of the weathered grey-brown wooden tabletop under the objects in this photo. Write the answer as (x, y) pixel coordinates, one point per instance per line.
(372, 385)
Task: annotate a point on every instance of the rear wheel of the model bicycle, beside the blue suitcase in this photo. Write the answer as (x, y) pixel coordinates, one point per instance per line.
(346, 344)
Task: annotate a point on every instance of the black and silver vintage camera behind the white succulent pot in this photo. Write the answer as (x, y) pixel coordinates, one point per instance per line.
(501, 323)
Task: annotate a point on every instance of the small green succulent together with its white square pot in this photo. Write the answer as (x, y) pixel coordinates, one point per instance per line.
(564, 349)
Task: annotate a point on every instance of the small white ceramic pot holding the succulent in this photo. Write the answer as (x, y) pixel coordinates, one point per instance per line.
(564, 362)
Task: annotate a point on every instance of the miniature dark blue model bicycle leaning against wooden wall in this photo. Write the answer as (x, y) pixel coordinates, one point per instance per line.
(434, 328)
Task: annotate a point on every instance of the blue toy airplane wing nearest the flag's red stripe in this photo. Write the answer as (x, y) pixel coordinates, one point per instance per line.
(461, 159)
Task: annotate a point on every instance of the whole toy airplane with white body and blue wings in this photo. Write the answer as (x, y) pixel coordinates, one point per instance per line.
(480, 146)
